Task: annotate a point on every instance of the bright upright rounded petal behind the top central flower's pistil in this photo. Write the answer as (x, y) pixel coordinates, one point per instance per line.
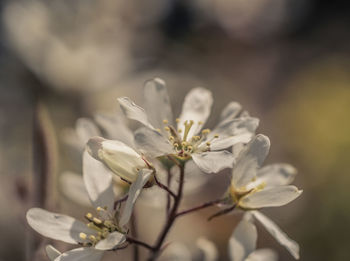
(196, 107)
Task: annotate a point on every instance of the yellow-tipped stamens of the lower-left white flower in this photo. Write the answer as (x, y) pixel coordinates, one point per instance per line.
(102, 227)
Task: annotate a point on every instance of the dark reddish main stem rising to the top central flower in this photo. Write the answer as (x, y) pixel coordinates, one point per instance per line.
(172, 216)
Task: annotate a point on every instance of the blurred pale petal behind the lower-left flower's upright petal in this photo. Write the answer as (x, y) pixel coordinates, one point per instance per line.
(73, 187)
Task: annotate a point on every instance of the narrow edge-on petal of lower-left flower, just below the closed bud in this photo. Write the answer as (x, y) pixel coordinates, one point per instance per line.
(134, 192)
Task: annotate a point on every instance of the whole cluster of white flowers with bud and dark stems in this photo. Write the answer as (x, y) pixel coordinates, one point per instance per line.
(136, 159)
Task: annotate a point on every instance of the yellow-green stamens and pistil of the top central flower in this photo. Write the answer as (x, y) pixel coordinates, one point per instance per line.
(184, 145)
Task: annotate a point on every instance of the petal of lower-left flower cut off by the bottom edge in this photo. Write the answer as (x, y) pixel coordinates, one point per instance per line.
(81, 254)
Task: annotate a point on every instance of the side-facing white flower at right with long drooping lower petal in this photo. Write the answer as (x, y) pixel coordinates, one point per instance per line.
(253, 187)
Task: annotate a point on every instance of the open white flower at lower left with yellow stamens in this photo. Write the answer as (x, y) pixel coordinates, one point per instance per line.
(103, 232)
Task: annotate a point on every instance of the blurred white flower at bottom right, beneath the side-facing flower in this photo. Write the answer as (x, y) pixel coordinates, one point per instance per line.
(242, 243)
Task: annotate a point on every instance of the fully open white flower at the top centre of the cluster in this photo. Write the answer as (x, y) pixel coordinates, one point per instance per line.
(160, 137)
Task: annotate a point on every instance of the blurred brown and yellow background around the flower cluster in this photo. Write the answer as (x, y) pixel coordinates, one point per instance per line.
(286, 61)
